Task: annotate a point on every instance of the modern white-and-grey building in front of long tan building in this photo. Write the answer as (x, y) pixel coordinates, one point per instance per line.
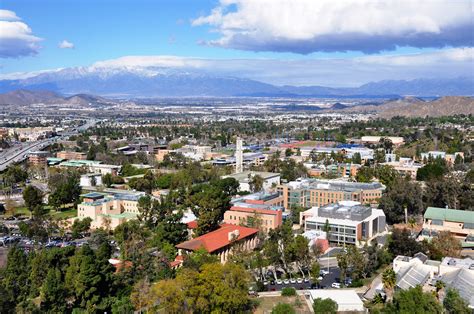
(349, 222)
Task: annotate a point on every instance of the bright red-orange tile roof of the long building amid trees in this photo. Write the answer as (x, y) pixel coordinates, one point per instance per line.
(217, 239)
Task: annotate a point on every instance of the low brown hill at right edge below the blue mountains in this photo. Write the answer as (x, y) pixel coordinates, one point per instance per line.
(415, 107)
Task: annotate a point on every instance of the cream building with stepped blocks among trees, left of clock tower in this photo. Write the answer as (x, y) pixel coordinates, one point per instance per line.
(109, 209)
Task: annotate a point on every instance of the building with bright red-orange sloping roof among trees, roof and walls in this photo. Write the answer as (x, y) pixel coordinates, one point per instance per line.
(221, 241)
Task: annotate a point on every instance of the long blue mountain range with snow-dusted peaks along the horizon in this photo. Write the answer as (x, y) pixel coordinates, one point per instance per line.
(147, 82)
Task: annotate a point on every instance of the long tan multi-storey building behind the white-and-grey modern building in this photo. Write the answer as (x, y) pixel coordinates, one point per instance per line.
(312, 192)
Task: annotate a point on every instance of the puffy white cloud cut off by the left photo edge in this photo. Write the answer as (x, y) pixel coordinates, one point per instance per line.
(16, 37)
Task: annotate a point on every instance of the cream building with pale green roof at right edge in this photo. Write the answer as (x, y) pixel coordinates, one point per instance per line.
(460, 223)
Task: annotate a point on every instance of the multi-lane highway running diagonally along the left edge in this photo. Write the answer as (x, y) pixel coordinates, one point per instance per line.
(20, 152)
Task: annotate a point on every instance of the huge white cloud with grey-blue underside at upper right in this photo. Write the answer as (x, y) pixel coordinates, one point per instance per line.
(305, 26)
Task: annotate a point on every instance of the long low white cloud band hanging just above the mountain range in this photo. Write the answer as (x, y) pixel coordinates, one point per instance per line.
(336, 72)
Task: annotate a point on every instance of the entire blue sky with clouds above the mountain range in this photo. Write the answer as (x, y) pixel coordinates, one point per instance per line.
(297, 42)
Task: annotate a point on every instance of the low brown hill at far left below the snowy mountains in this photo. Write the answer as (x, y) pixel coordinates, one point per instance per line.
(27, 97)
